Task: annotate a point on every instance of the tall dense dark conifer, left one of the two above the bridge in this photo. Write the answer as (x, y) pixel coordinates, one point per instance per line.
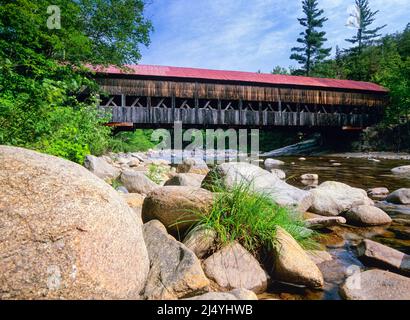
(312, 40)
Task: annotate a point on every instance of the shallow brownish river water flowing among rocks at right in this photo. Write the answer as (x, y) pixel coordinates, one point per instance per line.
(340, 242)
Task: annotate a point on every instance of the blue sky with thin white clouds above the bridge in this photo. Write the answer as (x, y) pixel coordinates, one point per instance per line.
(247, 35)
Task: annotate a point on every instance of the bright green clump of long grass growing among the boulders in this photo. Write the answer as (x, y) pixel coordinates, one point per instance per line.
(252, 218)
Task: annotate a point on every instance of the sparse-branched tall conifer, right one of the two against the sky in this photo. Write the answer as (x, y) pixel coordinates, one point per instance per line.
(365, 18)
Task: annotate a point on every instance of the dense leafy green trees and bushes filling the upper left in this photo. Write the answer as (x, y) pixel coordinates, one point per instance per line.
(47, 99)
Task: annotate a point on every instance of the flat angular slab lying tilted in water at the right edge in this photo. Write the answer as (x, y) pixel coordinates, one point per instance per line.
(377, 255)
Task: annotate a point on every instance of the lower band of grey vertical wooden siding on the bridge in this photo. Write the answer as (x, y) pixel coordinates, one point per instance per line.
(208, 117)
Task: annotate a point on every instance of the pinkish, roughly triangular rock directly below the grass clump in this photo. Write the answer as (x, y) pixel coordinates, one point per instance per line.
(233, 267)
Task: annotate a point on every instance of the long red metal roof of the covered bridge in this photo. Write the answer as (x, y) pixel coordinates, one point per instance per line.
(205, 74)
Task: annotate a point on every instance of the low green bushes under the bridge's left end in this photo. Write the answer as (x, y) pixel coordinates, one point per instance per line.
(140, 140)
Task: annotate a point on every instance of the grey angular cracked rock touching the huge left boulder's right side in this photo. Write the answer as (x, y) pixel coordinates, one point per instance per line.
(175, 270)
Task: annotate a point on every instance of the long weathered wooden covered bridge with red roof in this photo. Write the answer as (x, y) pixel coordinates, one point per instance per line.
(157, 96)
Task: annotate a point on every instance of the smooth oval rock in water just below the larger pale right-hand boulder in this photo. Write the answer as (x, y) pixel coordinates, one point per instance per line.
(367, 216)
